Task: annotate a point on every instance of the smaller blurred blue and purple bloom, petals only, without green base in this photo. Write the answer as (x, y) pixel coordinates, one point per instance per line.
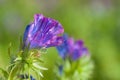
(72, 49)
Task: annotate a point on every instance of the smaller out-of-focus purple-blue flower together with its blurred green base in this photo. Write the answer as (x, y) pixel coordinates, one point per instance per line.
(76, 60)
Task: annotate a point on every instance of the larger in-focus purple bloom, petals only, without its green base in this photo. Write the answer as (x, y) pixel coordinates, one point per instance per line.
(43, 32)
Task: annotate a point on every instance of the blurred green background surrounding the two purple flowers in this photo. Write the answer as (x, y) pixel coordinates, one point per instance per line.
(97, 22)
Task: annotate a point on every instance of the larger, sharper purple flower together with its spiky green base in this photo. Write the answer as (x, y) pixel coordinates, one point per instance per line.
(42, 33)
